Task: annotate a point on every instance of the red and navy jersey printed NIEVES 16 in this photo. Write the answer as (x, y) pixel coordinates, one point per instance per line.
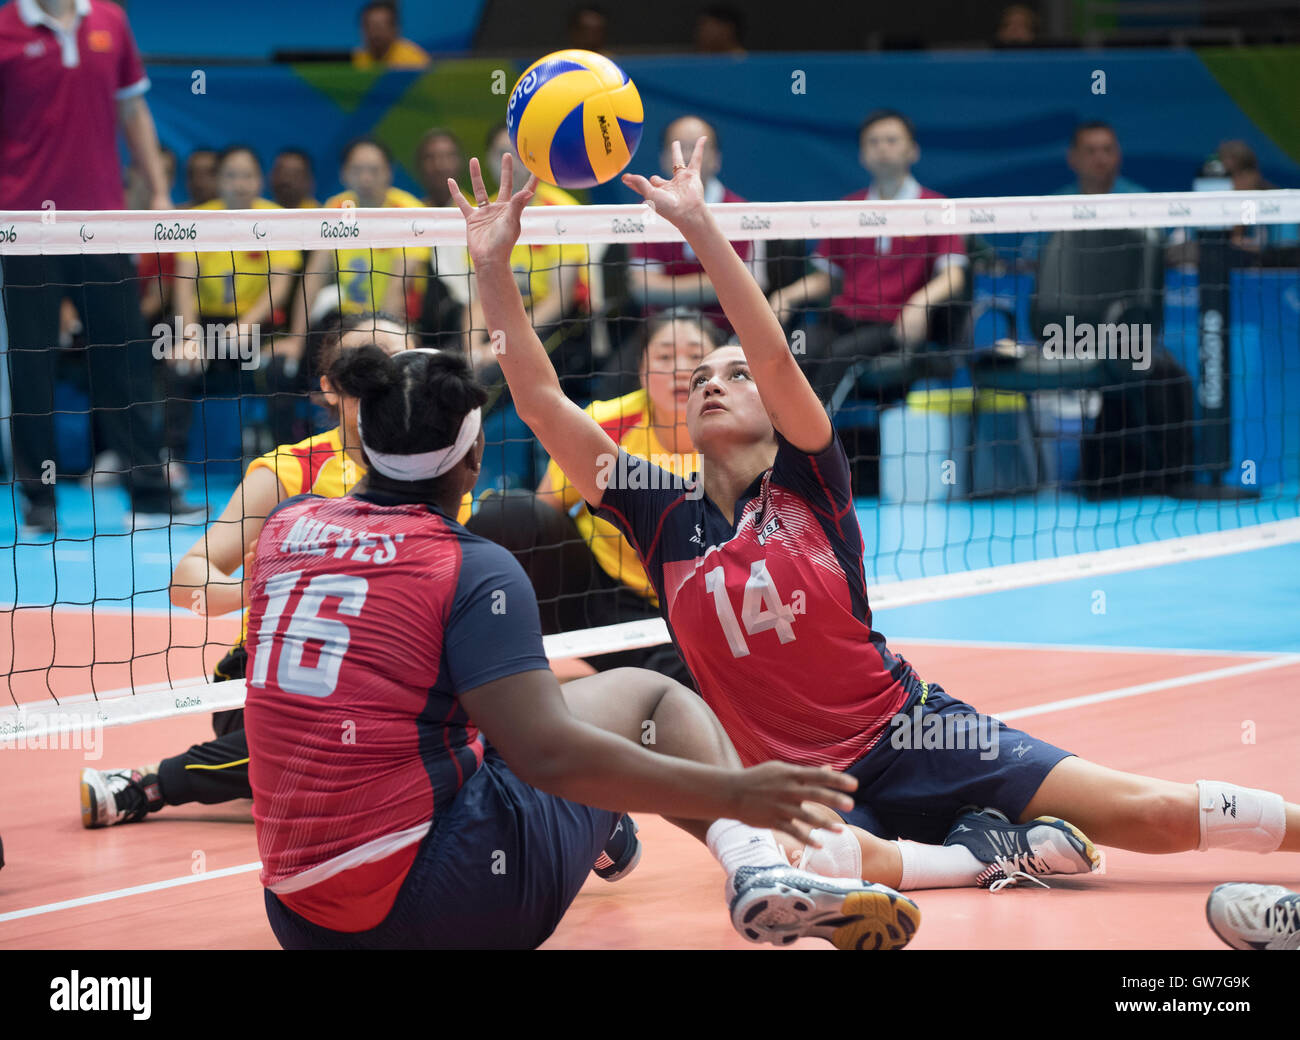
(366, 623)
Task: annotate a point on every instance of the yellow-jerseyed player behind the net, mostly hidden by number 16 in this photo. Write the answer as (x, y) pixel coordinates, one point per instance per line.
(327, 465)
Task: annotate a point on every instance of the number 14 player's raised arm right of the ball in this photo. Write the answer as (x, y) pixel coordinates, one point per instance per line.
(787, 395)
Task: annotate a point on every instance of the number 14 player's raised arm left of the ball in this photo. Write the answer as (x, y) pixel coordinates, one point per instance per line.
(573, 439)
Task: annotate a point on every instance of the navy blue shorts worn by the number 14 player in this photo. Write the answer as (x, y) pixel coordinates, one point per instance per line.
(938, 757)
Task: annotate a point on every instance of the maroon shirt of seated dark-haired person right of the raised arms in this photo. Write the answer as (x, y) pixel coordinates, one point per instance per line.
(881, 275)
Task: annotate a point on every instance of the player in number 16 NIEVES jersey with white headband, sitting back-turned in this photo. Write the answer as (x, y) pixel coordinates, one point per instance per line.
(417, 769)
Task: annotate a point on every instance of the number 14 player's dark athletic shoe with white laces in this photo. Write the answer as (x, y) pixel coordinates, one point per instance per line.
(1022, 852)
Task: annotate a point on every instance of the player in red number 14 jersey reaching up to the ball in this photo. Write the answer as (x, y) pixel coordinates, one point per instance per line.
(760, 575)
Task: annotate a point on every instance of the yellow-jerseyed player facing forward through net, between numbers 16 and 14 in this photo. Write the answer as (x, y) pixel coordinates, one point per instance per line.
(583, 570)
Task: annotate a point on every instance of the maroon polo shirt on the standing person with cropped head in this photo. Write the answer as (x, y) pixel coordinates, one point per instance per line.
(59, 94)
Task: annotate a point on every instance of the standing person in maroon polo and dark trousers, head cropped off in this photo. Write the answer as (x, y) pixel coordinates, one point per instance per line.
(70, 77)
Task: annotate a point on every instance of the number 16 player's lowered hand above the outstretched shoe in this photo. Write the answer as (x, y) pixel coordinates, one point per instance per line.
(773, 795)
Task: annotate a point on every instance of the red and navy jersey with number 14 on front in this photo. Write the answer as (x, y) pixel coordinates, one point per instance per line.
(770, 613)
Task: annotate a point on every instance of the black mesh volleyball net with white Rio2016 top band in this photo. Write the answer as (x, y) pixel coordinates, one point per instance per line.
(1029, 389)
